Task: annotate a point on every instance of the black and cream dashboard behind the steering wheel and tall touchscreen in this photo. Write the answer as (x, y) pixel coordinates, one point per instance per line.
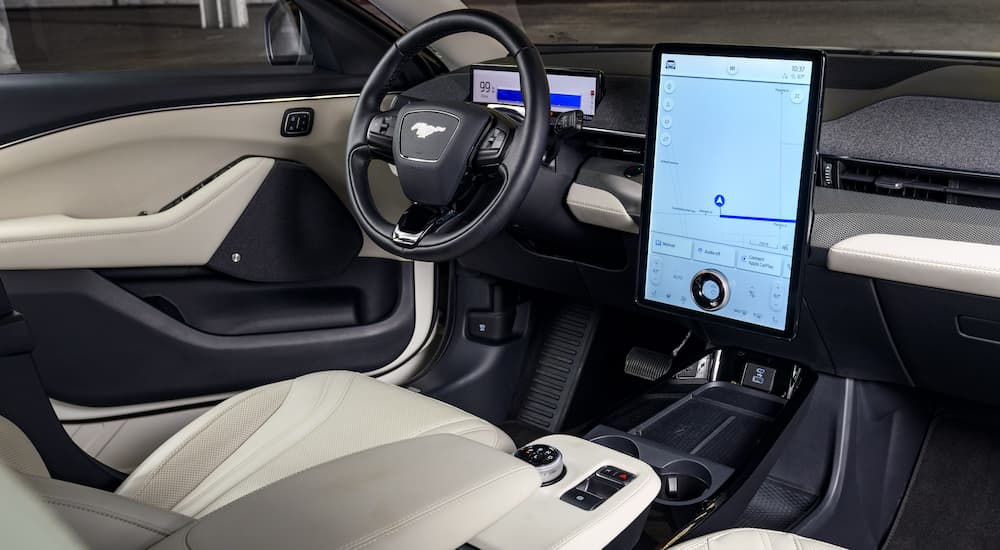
(905, 198)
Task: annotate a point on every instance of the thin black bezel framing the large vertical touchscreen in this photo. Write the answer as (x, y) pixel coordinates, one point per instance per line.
(808, 174)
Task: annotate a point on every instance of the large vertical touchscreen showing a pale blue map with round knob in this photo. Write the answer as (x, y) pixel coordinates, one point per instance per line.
(730, 157)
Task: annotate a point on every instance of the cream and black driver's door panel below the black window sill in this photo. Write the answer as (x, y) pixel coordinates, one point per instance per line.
(72, 201)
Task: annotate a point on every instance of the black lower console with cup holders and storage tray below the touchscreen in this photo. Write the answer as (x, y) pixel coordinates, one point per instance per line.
(717, 418)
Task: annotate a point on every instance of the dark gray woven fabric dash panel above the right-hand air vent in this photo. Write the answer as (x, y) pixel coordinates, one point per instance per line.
(937, 132)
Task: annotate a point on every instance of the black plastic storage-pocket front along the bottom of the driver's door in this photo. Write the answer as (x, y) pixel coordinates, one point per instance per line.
(98, 345)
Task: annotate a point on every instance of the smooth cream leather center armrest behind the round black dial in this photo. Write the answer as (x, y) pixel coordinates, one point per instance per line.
(425, 493)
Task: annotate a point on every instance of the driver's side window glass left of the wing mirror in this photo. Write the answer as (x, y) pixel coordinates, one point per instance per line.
(93, 35)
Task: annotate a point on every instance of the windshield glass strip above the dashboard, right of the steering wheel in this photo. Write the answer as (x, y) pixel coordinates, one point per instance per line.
(948, 25)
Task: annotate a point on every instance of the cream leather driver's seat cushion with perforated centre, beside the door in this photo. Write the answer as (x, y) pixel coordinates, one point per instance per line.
(261, 436)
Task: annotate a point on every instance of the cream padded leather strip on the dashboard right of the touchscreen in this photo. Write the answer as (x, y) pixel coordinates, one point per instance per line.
(960, 266)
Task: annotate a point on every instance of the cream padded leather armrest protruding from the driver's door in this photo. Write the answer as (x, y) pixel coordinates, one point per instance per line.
(187, 234)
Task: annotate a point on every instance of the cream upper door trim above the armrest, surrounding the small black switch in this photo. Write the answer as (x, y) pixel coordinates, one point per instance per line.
(118, 167)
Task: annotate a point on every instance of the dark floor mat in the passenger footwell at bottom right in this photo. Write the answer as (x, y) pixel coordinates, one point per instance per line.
(954, 497)
